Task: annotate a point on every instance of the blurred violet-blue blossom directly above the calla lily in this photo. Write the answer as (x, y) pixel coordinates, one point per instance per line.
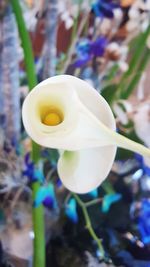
(87, 49)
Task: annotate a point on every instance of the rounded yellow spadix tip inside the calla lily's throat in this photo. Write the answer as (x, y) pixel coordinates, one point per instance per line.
(52, 119)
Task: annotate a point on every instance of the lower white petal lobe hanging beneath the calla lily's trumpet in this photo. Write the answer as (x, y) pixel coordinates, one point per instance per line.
(84, 170)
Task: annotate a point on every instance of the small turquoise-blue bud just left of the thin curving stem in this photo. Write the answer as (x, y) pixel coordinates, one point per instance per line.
(71, 210)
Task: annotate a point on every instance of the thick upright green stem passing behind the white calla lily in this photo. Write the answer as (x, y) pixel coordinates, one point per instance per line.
(38, 213)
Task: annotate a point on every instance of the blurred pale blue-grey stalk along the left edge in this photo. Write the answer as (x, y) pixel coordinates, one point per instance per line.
(9, 78)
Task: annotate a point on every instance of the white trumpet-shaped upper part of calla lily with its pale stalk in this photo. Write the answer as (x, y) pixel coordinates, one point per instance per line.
(87, 119)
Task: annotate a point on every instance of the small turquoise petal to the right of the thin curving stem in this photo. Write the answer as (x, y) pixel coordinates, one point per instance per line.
(108, 200)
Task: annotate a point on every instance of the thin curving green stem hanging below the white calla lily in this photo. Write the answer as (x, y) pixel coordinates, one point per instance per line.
(89, 224)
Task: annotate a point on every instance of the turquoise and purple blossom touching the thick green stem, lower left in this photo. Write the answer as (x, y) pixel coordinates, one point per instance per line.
(46, 195)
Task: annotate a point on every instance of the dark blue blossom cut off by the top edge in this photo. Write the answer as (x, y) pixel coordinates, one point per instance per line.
(104, 8)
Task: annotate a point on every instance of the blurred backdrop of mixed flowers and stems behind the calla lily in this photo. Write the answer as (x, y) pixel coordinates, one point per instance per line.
(106, 43)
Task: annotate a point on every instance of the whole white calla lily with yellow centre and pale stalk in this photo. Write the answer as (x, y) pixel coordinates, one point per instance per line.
(66, 113)
